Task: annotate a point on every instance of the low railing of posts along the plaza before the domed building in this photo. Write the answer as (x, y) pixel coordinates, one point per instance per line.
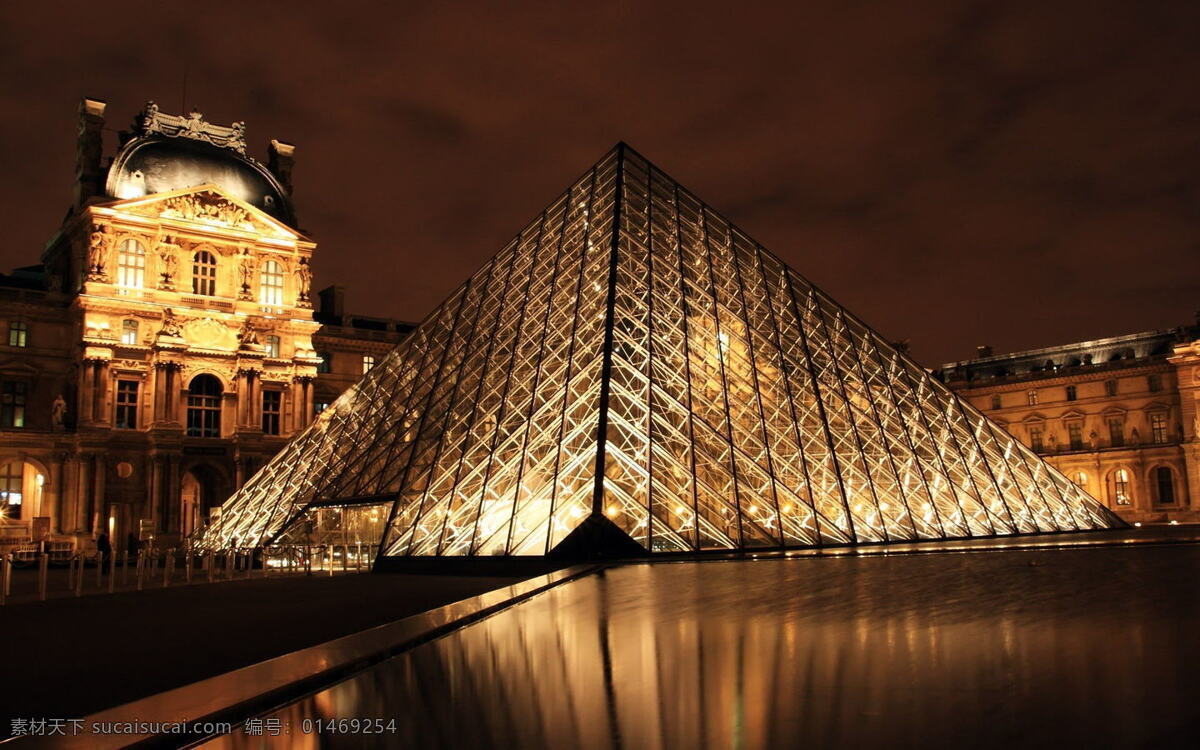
(93, 572)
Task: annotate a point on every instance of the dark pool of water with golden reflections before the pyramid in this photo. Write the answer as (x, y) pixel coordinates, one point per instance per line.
(987, 650)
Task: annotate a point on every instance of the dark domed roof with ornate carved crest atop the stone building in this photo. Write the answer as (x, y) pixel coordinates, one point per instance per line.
(177, 153)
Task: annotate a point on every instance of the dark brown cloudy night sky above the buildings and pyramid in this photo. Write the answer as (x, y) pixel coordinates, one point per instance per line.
(957, 173)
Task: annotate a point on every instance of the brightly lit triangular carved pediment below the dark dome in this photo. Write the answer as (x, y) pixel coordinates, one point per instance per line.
(209, 207)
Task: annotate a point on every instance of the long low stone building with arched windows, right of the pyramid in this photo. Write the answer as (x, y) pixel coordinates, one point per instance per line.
(1117, 416)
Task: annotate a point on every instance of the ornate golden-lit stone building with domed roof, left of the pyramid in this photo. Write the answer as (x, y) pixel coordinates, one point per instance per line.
(166, 347)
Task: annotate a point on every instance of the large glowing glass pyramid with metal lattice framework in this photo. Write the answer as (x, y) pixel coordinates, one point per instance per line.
(634, 361)
